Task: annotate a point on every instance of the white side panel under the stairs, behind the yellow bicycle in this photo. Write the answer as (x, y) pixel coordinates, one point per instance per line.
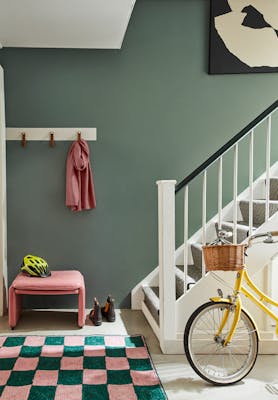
(259, 256)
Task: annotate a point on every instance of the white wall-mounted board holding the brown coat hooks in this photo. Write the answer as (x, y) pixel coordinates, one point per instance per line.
(69, 134)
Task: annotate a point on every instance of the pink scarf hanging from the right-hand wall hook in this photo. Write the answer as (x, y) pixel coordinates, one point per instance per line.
(80, 193)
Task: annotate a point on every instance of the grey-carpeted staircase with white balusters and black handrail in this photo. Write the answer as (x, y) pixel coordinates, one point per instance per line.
(171, 292)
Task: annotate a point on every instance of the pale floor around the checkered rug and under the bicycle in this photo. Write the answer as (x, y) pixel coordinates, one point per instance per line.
(179, 380)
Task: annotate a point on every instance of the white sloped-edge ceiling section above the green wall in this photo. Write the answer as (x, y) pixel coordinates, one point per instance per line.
(98, 24)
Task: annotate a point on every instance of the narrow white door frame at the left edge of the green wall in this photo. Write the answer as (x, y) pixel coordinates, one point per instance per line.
(3, 206)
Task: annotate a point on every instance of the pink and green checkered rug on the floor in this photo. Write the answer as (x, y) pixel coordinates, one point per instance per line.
(77, 368)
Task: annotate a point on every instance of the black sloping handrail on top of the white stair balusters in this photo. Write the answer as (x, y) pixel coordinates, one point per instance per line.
(226, 146)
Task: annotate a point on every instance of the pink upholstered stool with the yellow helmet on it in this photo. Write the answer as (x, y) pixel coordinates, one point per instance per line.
(60, 282)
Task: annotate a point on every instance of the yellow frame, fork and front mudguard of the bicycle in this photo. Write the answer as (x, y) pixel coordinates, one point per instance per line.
(241, 277)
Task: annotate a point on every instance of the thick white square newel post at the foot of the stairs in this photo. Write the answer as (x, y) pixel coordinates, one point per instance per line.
(166, 234)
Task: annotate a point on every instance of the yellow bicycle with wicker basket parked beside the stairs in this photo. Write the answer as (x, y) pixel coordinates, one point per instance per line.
(220, 337)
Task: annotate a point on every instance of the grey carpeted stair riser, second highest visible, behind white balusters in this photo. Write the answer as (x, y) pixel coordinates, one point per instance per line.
(258, 210)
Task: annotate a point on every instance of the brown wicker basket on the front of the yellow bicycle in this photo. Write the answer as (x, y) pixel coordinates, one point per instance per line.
(226, 257)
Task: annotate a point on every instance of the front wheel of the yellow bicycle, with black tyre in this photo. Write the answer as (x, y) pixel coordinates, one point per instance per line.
(205, 350)
